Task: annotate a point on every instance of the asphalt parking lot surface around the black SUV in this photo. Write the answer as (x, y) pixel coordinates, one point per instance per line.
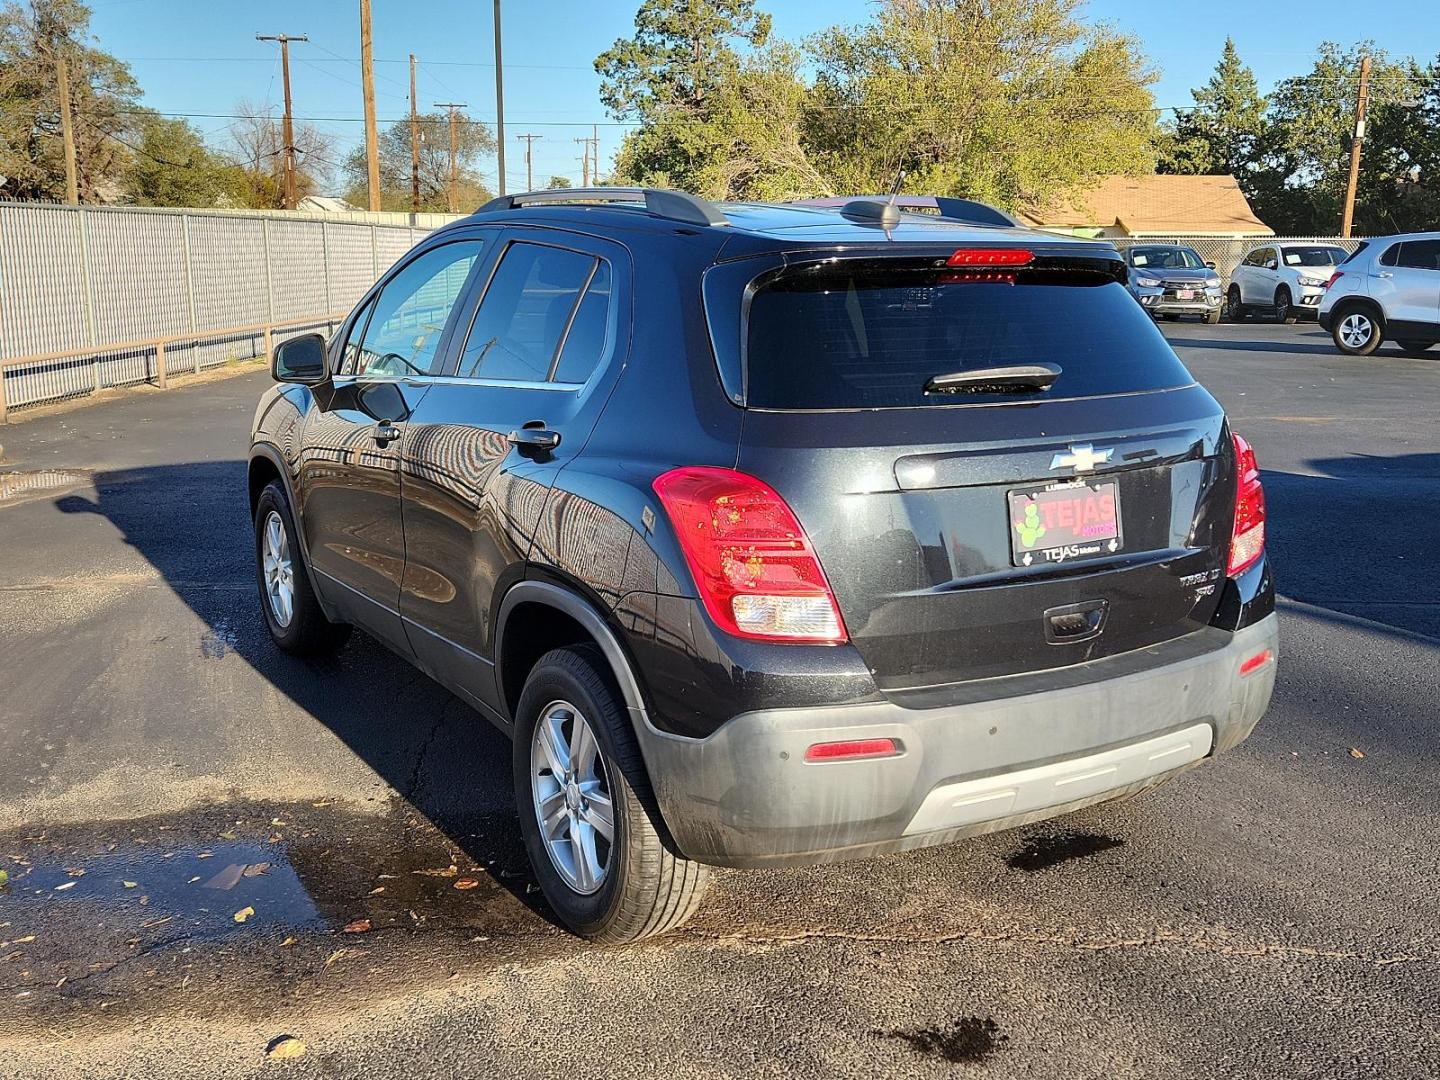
(1274, 914)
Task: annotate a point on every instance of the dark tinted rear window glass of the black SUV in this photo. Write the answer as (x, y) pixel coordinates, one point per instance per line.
(872, 341)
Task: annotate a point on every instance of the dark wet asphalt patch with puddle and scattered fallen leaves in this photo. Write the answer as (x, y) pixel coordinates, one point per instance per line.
(127, 915)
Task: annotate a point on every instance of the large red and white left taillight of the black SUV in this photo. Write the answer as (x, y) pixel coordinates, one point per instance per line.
(754, 565)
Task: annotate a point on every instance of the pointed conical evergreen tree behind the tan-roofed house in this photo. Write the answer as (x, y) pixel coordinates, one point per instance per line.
(1222, 133)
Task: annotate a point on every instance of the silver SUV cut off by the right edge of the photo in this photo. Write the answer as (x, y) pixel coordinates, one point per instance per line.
(1387, 290)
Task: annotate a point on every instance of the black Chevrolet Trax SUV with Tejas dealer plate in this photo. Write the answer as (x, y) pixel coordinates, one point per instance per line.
(771, 535)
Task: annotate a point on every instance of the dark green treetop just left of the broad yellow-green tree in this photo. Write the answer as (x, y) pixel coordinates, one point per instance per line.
(682, 51)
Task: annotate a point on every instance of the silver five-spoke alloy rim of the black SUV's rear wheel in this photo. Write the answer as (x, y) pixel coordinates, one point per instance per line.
(572, 797)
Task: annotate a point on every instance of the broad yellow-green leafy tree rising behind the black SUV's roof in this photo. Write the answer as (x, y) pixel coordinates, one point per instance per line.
(1014, 103)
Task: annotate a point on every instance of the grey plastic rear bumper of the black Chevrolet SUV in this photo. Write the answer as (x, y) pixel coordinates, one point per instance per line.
(747, 797)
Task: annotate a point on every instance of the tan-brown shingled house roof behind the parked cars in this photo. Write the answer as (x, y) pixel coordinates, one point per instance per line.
(1154, 207)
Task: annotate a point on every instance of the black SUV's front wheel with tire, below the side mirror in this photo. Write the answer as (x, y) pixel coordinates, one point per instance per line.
(289, 603)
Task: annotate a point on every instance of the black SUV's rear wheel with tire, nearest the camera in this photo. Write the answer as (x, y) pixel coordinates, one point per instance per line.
(587, 811)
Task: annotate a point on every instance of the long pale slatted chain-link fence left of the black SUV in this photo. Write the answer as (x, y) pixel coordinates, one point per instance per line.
(133, 296)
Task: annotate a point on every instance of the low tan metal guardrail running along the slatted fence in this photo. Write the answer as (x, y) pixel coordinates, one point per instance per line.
(149, 358)
